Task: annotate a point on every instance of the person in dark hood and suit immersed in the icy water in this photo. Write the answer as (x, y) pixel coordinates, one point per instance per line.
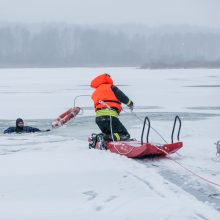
(20, 128)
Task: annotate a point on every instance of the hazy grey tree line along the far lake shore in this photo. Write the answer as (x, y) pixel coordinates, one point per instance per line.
(62, 45)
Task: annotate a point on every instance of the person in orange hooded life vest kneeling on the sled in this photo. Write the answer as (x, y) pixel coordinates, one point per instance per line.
(107, 100)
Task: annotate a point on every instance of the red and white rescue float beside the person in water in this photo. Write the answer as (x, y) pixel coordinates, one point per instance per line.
(65, 117)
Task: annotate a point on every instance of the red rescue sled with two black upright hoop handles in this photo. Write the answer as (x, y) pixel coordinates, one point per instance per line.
(138, 149)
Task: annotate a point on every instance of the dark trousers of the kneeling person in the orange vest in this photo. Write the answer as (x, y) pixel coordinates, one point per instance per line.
(118, 129)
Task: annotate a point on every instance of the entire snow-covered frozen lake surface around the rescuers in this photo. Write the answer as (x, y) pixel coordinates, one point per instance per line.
(39, 95)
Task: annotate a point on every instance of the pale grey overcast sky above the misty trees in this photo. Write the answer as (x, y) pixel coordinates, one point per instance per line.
(150, 12)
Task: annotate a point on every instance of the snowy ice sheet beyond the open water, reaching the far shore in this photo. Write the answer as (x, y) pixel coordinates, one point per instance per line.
(49, 92)
